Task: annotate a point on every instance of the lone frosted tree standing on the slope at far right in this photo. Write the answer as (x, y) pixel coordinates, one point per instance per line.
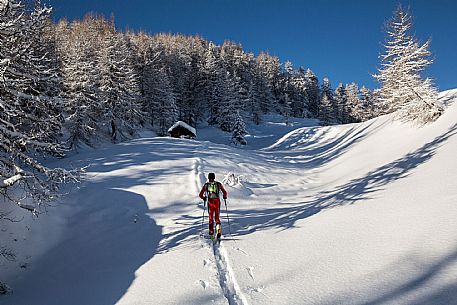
(403, 89)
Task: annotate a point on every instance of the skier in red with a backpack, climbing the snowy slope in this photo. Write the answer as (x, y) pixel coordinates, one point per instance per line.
(211, 191)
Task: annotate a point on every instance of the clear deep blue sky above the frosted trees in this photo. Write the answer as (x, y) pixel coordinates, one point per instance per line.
(340, 40)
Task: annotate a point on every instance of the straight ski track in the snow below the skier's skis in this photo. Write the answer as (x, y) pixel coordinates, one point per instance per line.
(227, 280)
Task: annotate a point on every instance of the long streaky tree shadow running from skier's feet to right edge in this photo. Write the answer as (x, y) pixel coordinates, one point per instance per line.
(247, 221)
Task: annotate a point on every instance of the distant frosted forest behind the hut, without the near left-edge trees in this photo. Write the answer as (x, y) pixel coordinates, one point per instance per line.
(113, 83)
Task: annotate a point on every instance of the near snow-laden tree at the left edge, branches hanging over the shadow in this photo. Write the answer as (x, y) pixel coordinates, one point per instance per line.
(29, 110)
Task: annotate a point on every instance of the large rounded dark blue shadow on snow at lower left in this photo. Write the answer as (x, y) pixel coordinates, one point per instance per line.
(96, 261)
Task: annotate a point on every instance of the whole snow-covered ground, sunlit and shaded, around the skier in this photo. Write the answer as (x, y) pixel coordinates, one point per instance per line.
(354, 214)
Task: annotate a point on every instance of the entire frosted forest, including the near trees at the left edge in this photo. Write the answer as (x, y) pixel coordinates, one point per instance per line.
(66, 84)
